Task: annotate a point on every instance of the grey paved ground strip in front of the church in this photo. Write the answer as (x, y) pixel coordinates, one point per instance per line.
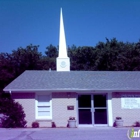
(95, 133)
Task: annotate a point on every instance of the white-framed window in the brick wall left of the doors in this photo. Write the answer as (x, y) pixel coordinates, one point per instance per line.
(43, 106)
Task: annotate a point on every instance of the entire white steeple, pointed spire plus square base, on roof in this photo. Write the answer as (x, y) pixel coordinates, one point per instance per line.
(63, 61)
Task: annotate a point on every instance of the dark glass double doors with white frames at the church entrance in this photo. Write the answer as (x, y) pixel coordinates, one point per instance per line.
(92, 109)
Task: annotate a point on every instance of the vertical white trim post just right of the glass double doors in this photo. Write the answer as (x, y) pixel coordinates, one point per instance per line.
(109, 104)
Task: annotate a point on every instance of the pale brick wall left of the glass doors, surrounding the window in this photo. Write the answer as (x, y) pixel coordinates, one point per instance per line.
(60, 114)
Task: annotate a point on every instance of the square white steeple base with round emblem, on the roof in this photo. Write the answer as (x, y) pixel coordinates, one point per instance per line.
(63, 64)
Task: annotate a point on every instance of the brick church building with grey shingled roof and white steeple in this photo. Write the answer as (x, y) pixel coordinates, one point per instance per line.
(94, 98)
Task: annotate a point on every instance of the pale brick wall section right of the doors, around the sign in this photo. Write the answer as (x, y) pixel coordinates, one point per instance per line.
(130, 116)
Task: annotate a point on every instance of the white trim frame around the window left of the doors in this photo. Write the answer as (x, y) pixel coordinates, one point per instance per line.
(36, 108)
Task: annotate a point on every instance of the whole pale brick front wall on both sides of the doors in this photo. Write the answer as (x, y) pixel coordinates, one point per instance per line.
(60, 114)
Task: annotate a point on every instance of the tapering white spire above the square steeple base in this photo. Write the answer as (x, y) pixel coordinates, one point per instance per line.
(62, 39)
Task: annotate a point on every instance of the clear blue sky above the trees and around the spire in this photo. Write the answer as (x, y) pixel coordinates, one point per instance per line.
(24, 22)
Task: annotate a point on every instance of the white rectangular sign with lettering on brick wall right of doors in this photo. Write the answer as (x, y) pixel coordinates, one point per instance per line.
(130, 101)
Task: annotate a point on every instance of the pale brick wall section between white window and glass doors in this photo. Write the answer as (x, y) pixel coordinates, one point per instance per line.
(60, 101)
